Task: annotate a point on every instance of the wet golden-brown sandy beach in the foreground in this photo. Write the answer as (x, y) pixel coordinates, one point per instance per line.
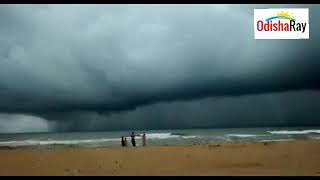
(272, 158)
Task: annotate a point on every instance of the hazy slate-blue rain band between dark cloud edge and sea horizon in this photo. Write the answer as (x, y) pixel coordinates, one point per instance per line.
(296, 108)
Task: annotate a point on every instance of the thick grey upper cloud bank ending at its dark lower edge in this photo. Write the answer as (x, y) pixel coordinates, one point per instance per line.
(60, 58)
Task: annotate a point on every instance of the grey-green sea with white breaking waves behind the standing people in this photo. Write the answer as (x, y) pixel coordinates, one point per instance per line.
(159, 137)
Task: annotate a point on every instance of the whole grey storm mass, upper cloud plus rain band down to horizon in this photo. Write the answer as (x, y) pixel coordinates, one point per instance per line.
(90, 67)
